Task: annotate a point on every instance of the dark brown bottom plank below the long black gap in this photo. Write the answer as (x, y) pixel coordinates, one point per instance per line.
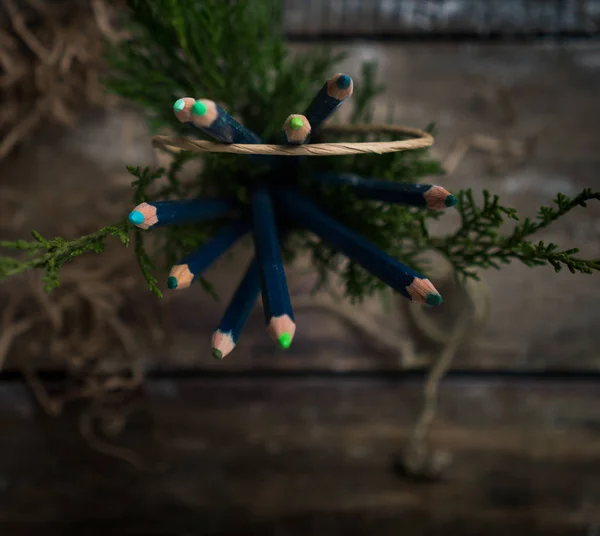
(310, 457)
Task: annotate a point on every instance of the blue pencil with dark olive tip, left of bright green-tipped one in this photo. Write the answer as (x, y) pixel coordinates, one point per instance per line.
(226, 336)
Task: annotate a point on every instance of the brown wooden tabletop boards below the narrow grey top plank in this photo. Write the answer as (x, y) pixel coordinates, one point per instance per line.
(305, 442)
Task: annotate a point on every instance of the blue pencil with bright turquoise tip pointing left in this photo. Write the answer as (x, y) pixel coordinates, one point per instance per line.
(160, 213)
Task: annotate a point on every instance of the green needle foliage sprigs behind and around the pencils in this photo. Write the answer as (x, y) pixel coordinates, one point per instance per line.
(234, 53)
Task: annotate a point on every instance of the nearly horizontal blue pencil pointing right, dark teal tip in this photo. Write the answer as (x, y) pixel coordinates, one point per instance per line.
(415, 195)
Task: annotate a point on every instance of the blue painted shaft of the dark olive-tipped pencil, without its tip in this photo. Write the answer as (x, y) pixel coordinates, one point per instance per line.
(242, 302)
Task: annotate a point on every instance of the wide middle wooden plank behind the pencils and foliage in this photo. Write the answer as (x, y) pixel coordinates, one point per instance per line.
(539, 320)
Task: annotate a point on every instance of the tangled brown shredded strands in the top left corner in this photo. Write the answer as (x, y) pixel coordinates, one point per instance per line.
(50, 63)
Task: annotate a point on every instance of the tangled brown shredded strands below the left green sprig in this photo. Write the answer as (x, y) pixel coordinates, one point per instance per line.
(87, 328)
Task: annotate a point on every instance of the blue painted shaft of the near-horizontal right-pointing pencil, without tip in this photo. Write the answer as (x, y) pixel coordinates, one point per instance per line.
(390, 192)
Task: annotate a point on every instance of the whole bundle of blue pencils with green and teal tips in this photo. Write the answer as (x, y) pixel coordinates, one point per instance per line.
(275, 205)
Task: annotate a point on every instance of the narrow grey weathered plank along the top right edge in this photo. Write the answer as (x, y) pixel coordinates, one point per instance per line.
(304, 18)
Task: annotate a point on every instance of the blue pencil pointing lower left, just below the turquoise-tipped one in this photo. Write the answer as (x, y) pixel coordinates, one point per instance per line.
(183, 274)
